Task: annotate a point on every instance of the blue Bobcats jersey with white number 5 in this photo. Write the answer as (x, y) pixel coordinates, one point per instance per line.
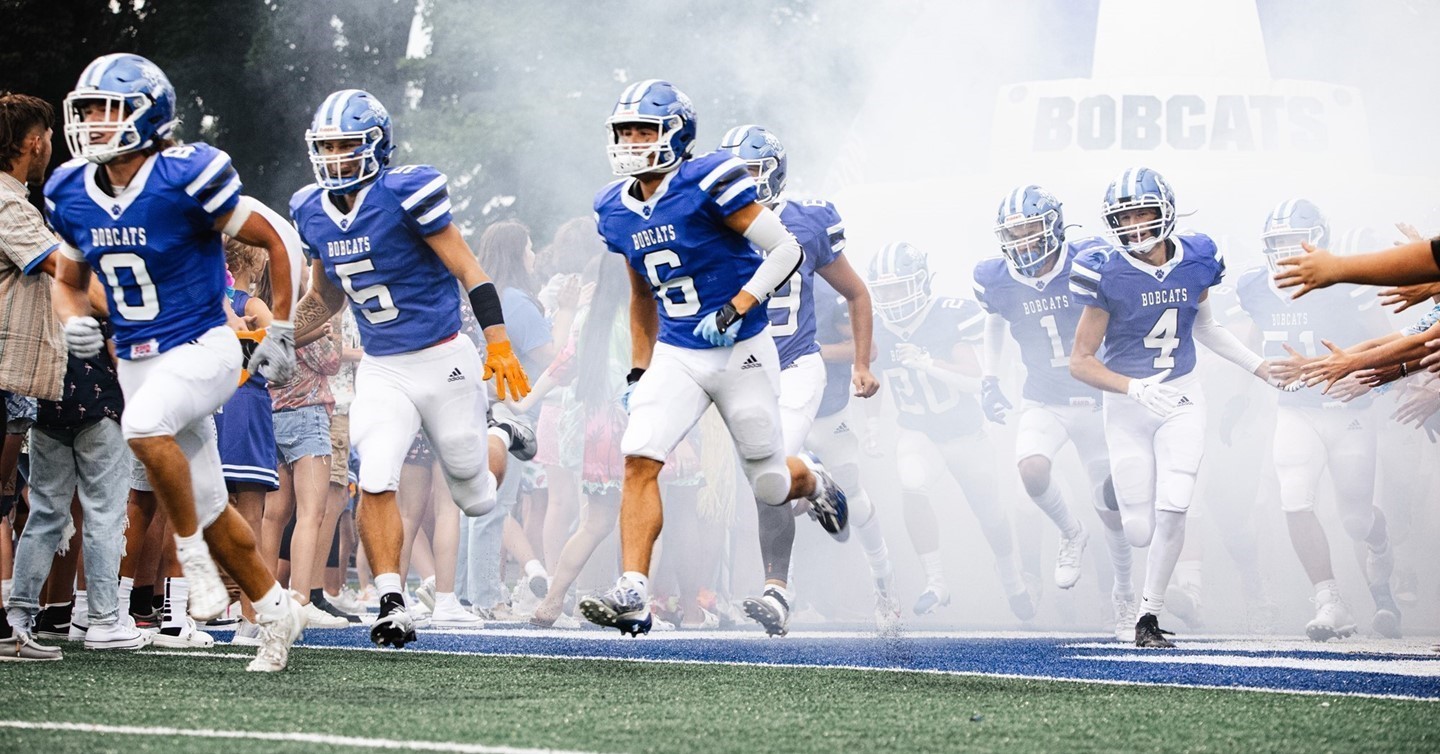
(402, 294)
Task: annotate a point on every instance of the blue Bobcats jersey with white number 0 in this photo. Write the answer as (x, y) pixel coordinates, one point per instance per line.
(155, 245)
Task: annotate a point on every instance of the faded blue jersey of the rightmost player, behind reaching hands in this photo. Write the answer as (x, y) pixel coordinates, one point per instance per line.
(1344, 316)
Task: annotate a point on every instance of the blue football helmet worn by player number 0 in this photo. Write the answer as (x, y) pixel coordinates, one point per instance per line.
(139, 101)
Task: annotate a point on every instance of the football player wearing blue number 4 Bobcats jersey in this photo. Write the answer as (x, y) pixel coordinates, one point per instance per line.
(1147, 304)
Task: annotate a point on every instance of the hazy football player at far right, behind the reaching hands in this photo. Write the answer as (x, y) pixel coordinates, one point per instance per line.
(1314, 431)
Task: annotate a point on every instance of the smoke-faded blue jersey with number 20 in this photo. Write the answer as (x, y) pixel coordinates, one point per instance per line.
(925, 404)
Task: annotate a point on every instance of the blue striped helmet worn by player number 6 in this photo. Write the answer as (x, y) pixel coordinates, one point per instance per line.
(657, 104)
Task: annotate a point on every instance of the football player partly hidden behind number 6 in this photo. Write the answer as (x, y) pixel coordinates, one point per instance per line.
(822, 234)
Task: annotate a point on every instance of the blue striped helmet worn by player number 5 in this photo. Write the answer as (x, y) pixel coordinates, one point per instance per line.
(351, 116)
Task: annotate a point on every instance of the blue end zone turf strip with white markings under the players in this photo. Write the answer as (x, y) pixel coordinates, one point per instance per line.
(1373, 668)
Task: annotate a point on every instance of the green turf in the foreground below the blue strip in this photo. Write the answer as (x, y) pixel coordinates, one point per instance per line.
(606, 706)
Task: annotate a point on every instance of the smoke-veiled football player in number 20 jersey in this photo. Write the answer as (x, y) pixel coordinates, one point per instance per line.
(927, 346)
